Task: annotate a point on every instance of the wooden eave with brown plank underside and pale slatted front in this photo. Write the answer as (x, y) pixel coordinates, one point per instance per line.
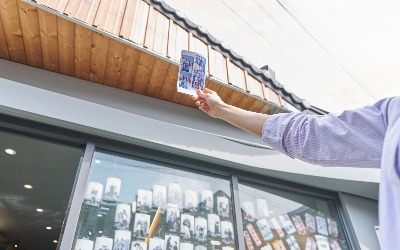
(126, 44)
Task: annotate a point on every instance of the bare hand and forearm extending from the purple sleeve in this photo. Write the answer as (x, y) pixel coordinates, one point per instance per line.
(210, 103)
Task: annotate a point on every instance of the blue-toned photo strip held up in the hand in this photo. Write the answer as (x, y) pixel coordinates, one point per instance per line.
(192, 72)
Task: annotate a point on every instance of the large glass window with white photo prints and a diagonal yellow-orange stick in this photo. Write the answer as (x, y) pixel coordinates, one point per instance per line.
(130, 204)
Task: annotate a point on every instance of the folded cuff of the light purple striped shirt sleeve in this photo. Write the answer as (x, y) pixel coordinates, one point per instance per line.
(274, 129)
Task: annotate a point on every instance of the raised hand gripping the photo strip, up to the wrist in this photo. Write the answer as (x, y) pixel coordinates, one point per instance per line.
(209, 102)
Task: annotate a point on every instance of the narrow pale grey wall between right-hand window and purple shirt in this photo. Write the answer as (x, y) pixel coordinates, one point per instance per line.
(363, 214)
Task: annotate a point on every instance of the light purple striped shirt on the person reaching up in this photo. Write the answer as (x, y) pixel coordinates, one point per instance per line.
(364, 137)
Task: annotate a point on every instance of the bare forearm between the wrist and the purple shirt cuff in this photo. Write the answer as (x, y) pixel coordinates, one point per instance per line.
(250, 121)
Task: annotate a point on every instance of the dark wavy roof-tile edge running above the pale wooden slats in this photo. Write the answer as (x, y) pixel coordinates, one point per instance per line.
(265, 74)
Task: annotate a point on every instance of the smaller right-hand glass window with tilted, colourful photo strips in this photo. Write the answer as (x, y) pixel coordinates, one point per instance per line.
(275, 219)
